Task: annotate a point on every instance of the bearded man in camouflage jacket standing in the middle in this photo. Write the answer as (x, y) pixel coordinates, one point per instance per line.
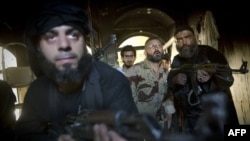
(148, 82)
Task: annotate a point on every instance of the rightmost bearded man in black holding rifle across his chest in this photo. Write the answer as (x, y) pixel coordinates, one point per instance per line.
(189, 87)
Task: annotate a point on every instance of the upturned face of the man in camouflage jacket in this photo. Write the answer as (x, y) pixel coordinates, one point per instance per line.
(154, 50)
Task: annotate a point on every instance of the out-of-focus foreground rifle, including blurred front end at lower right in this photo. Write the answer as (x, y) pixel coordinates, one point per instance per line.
(143, 127)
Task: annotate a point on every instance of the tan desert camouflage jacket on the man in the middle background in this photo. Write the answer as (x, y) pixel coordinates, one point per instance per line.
(148, 88)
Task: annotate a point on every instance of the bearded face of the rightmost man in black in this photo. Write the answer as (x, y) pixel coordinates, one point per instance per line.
(186, 43)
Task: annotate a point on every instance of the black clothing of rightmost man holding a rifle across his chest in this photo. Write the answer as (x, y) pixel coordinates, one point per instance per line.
(220, 82)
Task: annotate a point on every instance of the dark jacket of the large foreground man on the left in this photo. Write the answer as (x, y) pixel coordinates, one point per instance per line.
(45, 108)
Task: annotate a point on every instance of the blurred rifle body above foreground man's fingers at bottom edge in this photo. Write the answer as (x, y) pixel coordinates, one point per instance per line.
(134, 127)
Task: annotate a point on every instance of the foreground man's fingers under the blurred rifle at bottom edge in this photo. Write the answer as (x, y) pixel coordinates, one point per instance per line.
(101, 133)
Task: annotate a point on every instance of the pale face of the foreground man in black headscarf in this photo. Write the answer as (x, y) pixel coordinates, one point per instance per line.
(62, 46)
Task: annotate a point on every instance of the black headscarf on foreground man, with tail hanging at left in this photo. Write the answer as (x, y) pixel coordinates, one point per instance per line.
(51, 15)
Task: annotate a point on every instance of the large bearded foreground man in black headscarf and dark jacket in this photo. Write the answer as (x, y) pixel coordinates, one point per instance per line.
(69, 81)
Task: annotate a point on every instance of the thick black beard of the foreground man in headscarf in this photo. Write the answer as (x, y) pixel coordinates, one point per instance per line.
(68, 75)
